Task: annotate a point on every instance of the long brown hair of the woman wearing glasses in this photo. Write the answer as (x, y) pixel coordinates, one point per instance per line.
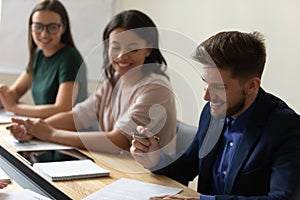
(53, 6)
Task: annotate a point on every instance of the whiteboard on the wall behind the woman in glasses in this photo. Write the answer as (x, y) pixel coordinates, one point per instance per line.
(87, 20)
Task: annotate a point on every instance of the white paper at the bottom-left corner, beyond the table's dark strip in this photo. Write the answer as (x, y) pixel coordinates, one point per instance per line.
(24, 194)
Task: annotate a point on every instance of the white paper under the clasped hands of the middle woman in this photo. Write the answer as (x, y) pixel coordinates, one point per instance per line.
(34, 145)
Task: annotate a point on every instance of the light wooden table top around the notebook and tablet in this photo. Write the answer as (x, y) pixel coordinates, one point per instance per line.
(120, 166)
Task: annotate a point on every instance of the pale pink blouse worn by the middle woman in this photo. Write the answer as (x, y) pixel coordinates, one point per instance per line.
(135, 100)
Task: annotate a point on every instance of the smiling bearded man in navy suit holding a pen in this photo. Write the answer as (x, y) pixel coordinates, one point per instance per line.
(247, 146)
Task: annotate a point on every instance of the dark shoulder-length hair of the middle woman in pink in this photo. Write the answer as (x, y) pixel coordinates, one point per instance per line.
(145, 28)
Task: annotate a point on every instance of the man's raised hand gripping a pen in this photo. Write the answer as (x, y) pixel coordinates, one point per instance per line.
(145, 149)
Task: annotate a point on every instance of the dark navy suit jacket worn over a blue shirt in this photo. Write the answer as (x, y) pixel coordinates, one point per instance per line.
(267, 163)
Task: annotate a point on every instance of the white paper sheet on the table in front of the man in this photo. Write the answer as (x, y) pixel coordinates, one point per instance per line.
(127, 189)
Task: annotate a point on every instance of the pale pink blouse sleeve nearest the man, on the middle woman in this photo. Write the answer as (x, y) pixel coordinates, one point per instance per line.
(151, 105)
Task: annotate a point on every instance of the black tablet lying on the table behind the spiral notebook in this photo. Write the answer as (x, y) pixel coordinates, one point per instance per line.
(52, 155)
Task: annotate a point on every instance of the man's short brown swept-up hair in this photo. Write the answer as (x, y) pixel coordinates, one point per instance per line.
(244, 54)
